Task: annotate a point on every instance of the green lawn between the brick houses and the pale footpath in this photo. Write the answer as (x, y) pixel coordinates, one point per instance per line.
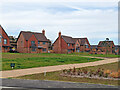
(39, 60)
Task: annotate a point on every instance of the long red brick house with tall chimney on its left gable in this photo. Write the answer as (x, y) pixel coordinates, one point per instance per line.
(67, 44)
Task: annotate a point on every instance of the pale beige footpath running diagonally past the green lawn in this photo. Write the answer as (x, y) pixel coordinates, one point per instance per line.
(22, 72)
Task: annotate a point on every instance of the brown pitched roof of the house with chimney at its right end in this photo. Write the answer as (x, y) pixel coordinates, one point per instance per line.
(39, 36)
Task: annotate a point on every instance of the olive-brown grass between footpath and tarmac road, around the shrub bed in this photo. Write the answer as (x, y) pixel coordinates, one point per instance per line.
(56, 76)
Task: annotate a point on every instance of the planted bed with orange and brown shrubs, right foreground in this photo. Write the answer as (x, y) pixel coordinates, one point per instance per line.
(93, 74)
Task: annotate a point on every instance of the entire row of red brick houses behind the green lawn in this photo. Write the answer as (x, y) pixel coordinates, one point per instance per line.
(34, 42)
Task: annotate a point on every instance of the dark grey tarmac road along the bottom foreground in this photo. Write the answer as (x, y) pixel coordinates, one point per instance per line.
(41, 84)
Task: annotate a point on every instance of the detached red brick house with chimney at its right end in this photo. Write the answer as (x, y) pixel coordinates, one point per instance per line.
(32, 42)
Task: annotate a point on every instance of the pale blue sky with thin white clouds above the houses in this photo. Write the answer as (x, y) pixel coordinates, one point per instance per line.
(94, 20)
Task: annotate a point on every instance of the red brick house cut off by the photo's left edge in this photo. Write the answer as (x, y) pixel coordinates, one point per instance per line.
(4, 40)
